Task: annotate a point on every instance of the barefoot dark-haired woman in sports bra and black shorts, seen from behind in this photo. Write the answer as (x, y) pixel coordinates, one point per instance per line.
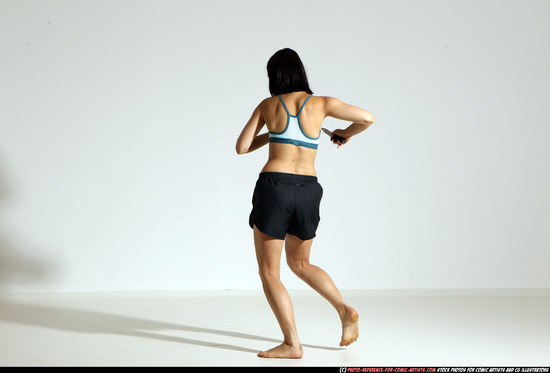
(287, 195)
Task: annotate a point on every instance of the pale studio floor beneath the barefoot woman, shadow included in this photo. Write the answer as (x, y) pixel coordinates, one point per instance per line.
(228, 328)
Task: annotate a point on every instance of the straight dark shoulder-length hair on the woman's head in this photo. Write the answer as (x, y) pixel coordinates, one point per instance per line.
(286, 73)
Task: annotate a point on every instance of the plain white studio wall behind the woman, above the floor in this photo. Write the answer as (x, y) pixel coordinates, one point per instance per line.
(118, 121)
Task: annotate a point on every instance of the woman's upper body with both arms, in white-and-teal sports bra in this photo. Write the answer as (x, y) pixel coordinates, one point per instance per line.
(277, 111)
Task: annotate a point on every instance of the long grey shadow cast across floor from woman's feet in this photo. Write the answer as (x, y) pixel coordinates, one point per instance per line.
(93, 322)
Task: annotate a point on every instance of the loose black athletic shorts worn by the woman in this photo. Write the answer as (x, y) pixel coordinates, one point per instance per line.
(286, 203)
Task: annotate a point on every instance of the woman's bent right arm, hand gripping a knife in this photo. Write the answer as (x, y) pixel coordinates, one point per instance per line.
(361, 119)
